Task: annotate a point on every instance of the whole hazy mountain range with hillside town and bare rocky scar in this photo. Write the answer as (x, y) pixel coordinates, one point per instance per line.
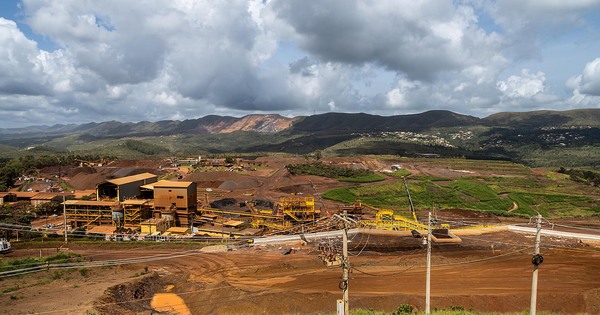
(534, 138)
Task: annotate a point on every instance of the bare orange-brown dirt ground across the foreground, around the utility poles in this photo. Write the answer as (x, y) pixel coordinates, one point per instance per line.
(262, 280)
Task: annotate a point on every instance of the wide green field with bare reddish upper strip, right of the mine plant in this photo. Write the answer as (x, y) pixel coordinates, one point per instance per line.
(548, 193)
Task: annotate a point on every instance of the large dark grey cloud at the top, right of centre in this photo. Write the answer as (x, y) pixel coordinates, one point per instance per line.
(399, 36)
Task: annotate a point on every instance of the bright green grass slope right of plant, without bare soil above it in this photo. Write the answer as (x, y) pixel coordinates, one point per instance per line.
(475, 193)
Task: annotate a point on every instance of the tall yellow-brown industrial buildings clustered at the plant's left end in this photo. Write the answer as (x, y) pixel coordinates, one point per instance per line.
(138, 201)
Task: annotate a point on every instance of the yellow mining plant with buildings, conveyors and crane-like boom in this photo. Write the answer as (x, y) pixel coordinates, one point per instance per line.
(142, 206)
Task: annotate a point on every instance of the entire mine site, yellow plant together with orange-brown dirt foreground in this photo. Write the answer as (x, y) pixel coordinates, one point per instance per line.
(264, 242)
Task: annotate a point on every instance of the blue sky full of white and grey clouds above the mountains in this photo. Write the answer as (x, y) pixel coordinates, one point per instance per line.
(76, 61)
